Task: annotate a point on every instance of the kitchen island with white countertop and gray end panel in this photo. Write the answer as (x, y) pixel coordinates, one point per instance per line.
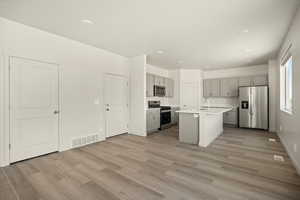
(201, 126)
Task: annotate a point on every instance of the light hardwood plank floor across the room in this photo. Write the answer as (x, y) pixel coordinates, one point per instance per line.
(238, 165)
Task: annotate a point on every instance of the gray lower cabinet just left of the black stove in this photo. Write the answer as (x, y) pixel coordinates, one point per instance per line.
(153, 119)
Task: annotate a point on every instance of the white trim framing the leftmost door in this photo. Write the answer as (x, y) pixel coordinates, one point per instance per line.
(5, 159)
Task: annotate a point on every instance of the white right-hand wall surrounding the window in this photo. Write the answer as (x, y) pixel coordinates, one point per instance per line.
(290, 132)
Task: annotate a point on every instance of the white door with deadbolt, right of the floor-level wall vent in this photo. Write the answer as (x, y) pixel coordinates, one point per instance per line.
(116, 105)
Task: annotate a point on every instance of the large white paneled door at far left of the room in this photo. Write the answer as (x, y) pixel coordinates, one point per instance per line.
(34, 105)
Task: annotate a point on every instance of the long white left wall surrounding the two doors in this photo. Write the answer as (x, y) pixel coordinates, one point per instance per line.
(82, 67)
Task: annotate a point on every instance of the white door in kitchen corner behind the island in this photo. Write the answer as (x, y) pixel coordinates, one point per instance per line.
(189, 95)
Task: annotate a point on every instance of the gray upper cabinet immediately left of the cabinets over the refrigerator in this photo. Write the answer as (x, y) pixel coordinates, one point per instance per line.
(229, 87)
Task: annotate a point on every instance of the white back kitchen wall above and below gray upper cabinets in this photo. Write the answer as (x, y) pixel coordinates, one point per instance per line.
(232, 72)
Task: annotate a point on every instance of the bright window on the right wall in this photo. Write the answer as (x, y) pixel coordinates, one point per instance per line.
(286, 84)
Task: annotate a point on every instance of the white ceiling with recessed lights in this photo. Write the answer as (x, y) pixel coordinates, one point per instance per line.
(192, 33)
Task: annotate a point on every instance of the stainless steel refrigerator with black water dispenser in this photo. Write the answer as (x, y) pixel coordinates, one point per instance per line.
(254, 107)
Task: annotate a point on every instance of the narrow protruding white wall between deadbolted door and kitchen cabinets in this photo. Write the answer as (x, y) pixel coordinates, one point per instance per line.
(137, 125)
